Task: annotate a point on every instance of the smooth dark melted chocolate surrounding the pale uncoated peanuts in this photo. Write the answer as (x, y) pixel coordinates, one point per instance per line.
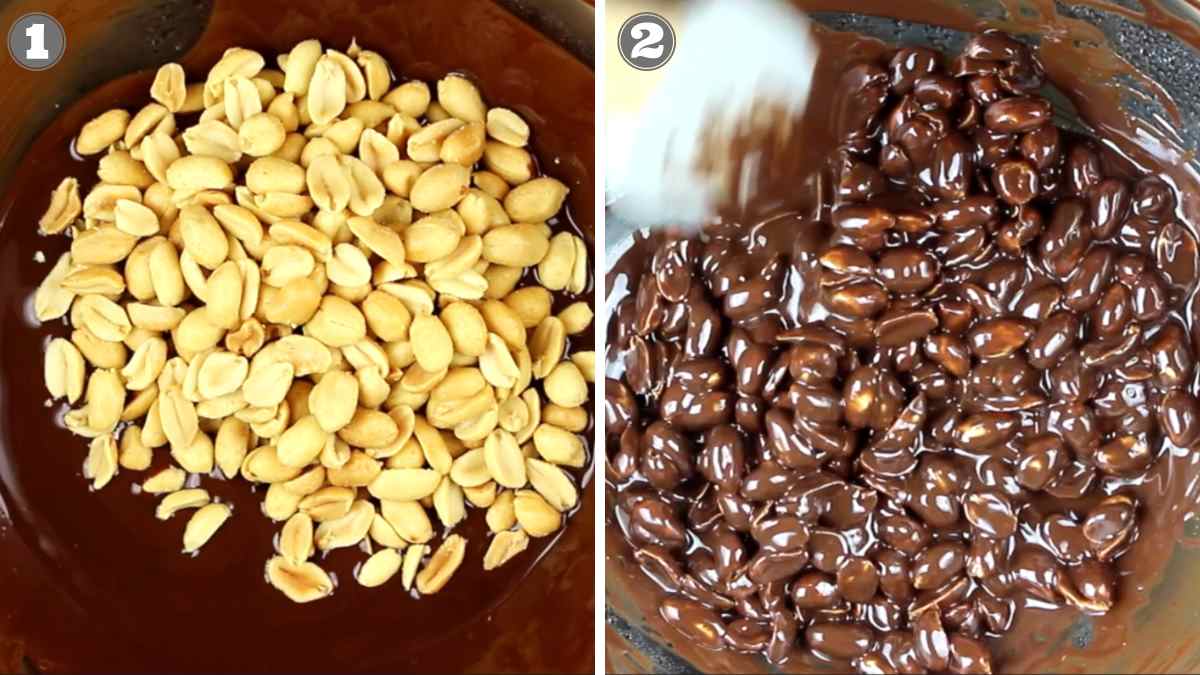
(94, 583)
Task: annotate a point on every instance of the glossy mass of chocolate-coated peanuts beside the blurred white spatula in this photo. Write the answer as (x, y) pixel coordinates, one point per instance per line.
(953, 391)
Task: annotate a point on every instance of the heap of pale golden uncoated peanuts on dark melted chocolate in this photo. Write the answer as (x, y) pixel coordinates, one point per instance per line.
(316, 288)
